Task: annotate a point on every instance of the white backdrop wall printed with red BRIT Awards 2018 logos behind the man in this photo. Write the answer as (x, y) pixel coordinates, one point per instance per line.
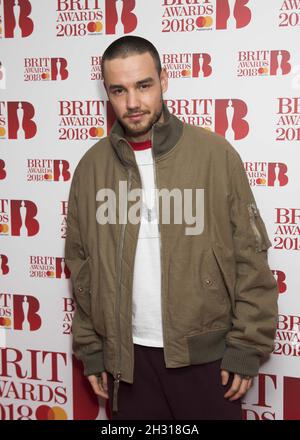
(234, 67)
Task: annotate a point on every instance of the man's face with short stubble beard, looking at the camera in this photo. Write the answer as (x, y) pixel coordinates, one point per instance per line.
(135, 90)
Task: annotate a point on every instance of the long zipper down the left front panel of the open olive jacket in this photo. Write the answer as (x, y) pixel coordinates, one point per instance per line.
(118, 374)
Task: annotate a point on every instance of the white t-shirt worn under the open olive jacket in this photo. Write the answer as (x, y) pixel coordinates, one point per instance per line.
(146, 295)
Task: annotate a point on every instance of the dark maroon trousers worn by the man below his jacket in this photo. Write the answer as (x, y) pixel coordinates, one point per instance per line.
(194, 392)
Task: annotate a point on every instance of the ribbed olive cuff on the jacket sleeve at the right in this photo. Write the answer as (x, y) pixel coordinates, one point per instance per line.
(244, 362)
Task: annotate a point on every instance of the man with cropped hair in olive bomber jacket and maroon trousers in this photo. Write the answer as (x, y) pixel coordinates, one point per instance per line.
(168, 324)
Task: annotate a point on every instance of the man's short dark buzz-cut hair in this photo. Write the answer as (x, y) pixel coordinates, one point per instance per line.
(130, 45)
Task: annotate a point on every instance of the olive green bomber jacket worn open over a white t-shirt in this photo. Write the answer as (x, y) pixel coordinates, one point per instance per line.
(219, 297)
